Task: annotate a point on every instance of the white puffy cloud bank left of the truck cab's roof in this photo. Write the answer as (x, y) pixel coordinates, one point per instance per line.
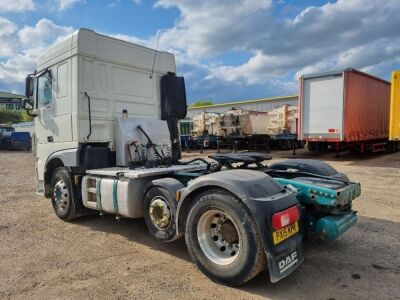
(20, 48)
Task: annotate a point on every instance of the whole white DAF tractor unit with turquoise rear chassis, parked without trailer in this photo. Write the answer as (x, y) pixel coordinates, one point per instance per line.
(107, 140)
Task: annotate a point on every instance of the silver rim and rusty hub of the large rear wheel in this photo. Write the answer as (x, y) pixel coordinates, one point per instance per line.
(218, 237)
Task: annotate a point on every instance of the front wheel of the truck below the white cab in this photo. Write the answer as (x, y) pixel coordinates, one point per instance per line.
(63, 197)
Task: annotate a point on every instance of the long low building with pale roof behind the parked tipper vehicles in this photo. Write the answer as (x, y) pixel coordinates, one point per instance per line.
(262, 105)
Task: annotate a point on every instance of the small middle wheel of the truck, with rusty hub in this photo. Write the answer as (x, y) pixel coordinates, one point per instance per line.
(159, 213)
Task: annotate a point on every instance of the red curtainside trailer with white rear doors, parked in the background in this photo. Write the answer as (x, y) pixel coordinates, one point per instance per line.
(343, 110)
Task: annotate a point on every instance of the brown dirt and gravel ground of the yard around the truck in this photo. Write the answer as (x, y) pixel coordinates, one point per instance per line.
(43, 257)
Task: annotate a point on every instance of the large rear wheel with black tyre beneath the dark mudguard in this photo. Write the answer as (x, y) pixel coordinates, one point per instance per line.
(223, 240)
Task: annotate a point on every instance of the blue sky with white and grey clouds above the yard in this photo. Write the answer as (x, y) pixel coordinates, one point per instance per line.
(227, 50)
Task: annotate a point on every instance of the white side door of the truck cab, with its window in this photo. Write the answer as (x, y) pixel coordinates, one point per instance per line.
(44, 122)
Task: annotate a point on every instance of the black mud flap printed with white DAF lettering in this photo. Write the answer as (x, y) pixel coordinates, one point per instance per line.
(283, 265)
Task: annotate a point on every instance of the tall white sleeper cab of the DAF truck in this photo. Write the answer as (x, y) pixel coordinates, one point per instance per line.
(81, 86)
